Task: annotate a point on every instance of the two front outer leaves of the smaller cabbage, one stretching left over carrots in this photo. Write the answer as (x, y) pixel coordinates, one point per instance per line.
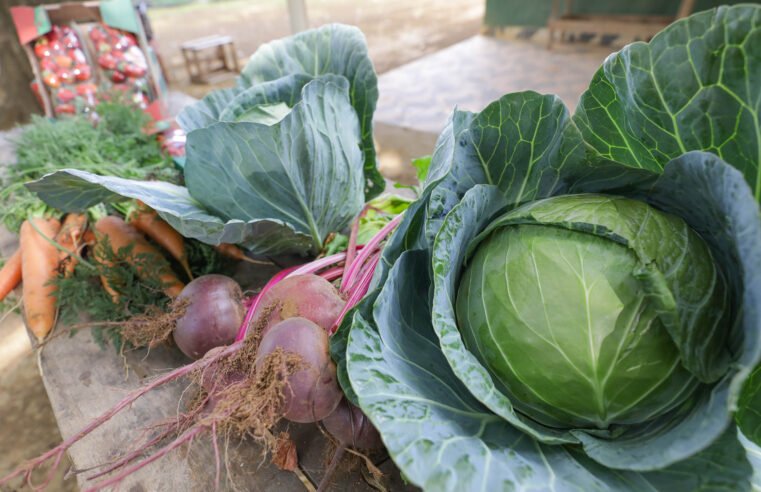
(275, 189)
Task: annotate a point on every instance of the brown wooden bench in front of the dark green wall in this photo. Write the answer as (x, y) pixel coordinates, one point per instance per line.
(637, 27)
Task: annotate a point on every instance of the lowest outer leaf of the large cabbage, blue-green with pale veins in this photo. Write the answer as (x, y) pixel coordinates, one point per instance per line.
(445, 440)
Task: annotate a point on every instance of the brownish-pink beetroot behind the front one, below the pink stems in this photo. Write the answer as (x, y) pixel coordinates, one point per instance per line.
(306, 296)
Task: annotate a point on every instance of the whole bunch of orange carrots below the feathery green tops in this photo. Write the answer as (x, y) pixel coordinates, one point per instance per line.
(49, 248)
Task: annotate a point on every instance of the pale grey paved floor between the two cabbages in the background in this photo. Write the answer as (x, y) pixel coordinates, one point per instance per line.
(417, 98)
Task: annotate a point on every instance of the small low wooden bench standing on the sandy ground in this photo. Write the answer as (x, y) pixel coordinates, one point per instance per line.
(210, 59)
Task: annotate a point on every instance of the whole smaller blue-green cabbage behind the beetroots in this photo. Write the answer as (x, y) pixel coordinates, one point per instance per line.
(291, 145)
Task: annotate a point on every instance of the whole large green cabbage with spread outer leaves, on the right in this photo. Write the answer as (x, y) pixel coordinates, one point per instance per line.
(448, 419)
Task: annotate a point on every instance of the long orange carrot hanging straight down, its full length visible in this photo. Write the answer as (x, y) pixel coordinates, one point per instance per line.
(39, 266)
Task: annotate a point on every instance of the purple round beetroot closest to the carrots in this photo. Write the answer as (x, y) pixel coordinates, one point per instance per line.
(212, 316)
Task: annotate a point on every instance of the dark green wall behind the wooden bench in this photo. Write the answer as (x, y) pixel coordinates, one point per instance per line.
(502, 13)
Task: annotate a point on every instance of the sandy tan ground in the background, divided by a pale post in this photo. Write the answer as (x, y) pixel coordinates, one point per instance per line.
(397, 31)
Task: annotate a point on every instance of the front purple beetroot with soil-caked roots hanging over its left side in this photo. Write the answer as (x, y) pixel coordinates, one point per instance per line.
(311, 393)
